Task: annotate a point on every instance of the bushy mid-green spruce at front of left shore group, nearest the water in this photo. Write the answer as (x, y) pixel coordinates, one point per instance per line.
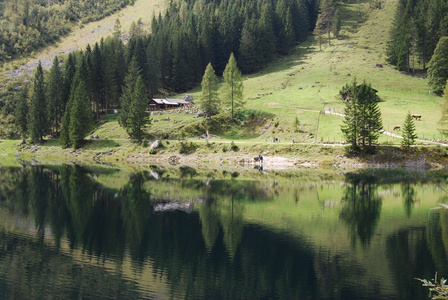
(81, 116)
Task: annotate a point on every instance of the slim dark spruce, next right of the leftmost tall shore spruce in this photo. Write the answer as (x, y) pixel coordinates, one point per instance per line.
(55, 93)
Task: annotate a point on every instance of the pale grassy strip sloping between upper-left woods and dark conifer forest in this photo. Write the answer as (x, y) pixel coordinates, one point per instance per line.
(91, 33)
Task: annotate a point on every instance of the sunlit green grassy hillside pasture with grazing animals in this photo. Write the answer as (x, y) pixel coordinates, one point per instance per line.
(308, 81)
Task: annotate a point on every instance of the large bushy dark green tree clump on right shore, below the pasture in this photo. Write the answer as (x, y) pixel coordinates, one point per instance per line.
(362, 121)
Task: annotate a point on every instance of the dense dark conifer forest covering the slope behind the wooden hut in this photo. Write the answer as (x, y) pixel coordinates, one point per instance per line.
(171, 59)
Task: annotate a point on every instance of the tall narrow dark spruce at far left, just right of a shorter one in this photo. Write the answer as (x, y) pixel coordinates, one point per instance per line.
(38, 126)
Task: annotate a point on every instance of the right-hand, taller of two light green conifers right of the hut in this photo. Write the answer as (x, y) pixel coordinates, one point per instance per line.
(233, 85)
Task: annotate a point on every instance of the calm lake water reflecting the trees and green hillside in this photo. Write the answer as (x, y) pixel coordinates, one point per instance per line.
(71, 232)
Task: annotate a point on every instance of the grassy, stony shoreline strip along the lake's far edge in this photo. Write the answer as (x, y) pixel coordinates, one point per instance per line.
(276, 157)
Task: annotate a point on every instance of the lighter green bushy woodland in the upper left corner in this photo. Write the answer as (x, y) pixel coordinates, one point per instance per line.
(27, 25)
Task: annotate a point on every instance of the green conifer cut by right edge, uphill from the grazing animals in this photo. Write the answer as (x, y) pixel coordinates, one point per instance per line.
(438, 66)
